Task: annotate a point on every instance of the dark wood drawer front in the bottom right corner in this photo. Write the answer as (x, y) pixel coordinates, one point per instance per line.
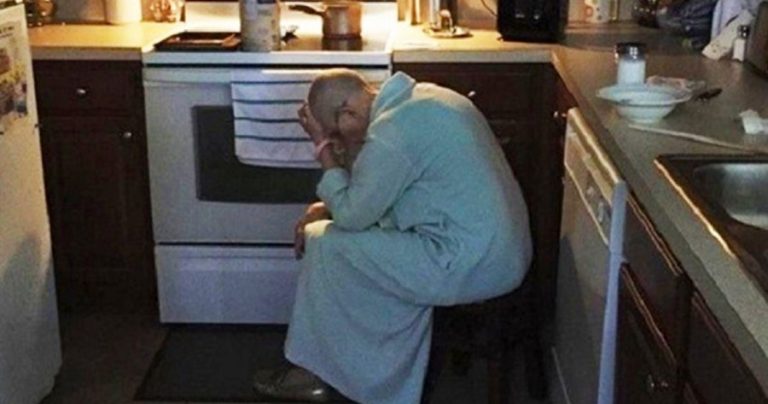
(715, 369)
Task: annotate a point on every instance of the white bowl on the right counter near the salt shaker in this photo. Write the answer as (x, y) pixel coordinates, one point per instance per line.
(643, 103)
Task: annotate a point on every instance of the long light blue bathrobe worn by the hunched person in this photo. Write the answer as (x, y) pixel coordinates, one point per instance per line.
(430, 215)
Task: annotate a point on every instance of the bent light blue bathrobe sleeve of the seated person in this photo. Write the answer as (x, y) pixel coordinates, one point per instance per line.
(379, 176)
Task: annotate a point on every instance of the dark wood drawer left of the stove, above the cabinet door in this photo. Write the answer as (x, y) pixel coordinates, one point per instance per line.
(66, 88)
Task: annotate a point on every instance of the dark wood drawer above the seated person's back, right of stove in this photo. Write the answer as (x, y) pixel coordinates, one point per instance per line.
(496, 89)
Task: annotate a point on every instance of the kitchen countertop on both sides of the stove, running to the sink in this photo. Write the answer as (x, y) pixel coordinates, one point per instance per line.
(737, 301)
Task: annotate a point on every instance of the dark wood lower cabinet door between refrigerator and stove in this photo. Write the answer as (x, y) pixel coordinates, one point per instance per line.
(96, 185)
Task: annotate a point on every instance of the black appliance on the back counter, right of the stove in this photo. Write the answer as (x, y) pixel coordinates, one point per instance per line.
(531, 20)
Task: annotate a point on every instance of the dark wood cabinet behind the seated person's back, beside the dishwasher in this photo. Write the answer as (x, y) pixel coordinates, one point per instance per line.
(519, 102)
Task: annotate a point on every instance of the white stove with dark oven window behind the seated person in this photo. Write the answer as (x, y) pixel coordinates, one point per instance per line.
(224, 230)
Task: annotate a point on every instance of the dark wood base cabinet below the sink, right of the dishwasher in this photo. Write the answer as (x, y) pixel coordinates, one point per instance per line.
(671, 348)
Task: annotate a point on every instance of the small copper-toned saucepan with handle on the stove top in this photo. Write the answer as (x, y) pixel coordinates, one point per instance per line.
(341, 19)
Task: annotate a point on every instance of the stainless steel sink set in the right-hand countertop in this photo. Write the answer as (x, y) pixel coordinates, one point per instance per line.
(730, 192)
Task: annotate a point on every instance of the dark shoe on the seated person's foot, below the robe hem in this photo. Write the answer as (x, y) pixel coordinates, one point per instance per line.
(293, 383)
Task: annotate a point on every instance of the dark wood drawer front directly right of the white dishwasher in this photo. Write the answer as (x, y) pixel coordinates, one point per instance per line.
(665, 287)
